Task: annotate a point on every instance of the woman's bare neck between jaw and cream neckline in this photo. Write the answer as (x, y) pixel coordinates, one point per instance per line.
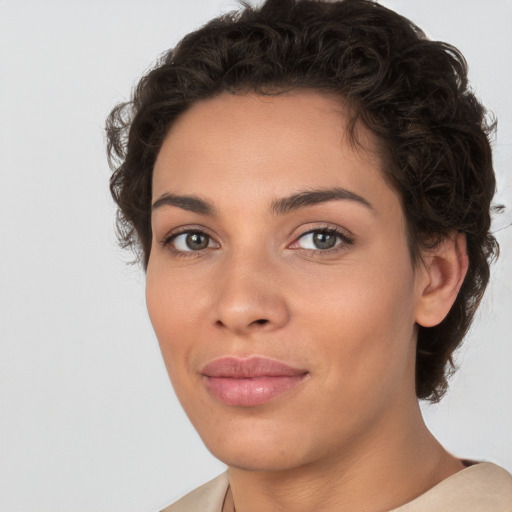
(387, 468)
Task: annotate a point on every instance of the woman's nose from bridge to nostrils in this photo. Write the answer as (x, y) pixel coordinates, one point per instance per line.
(249, 297)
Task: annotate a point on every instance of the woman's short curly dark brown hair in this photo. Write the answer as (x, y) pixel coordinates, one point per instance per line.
(411, 92)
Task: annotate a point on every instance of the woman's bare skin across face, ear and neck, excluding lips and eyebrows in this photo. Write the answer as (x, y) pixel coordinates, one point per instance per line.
(350, 435)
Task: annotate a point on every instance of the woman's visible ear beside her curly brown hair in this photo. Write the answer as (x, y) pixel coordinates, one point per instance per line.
(439, 279)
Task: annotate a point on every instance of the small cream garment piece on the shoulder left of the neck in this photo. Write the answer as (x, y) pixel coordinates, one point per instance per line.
(209, 497)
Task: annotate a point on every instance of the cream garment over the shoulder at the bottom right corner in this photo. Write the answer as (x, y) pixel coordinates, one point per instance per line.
(483, 487)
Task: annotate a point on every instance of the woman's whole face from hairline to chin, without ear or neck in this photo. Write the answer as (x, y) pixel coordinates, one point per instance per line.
(280, 284)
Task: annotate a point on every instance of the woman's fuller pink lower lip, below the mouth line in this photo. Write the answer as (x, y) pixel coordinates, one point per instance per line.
(250, 392)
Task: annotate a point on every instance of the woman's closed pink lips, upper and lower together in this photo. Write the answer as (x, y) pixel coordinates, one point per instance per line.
(249, 382)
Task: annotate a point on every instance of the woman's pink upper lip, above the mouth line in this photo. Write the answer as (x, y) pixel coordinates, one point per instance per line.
(250, 367)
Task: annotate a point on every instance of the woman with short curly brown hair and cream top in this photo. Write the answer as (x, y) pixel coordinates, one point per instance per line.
(309, 185)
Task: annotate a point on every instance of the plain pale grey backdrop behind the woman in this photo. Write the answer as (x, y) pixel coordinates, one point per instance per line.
(88, 420)
